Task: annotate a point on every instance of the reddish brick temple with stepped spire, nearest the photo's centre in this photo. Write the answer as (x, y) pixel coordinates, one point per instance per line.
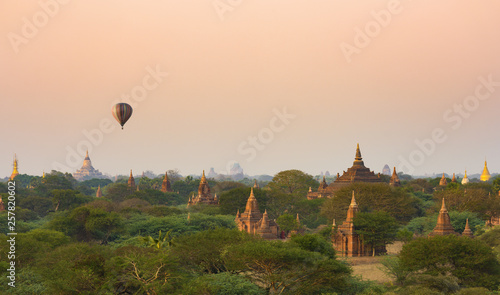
(254, 222)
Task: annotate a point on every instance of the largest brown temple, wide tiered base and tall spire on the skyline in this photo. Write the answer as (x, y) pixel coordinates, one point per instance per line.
(357, 173)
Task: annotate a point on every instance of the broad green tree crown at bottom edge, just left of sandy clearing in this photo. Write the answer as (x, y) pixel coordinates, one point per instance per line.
(286, 267)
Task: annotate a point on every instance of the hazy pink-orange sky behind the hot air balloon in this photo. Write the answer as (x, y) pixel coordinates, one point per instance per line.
(229, 71)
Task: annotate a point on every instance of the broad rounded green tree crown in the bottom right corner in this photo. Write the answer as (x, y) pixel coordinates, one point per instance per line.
(471, 261)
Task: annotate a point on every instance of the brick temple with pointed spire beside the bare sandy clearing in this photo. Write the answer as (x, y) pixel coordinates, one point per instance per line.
(345, 240)
